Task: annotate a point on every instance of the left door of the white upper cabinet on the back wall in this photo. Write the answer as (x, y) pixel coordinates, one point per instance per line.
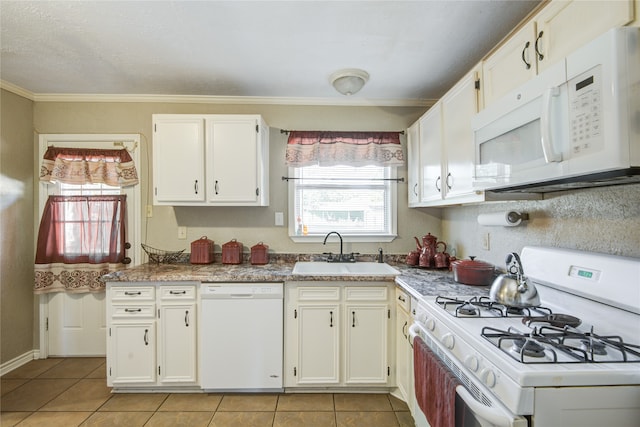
(178, 160)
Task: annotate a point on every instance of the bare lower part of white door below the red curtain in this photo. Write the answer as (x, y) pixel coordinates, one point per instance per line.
(77, 324)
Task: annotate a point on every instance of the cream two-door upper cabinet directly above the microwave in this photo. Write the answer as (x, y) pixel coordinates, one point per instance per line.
(558, 29)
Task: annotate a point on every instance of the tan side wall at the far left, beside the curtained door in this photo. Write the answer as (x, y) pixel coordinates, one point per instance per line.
(16, 228)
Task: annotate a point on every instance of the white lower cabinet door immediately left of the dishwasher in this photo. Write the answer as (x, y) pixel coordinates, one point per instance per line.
(177, 343)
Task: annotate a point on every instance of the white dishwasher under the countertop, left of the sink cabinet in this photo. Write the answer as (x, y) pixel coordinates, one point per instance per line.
(241, 336)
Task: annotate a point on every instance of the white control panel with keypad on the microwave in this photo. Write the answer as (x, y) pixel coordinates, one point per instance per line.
(585, 112)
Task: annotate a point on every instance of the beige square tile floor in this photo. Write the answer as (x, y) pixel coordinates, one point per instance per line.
(73, 392)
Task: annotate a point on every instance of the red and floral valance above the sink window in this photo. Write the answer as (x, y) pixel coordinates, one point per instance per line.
(306, 148)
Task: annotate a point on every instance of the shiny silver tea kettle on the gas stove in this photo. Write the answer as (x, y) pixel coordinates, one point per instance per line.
(512, 289)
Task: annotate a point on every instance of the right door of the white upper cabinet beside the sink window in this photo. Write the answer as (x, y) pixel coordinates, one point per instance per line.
(233, 156)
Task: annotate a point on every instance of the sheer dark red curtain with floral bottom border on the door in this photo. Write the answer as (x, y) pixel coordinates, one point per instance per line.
(80, 239)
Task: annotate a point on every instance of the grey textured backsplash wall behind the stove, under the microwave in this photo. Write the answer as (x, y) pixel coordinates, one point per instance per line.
(605, 220)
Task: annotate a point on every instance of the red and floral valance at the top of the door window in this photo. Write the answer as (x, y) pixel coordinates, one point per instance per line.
(88, 166)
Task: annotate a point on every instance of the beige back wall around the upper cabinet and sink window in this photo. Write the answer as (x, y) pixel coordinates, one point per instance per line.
(248, 224)
